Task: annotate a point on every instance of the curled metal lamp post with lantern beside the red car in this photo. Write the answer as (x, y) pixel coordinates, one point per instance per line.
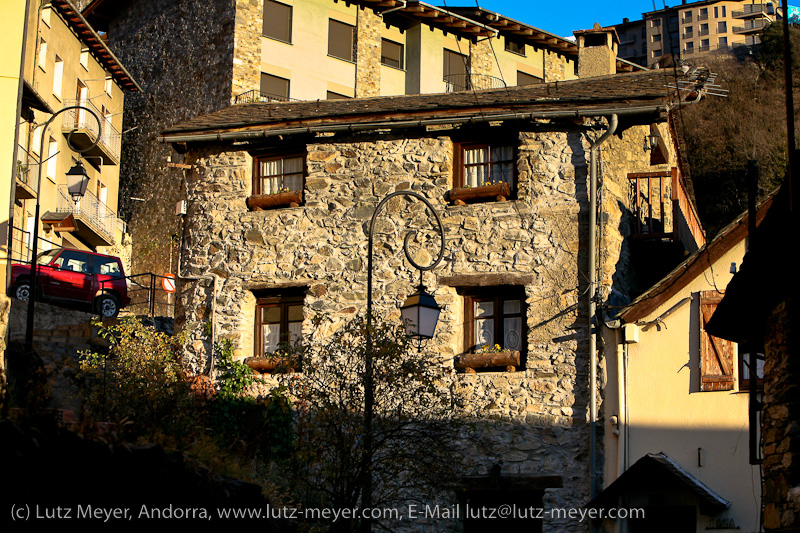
(77, 181)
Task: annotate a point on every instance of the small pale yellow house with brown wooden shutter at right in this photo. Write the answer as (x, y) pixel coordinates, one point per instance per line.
(676, 400)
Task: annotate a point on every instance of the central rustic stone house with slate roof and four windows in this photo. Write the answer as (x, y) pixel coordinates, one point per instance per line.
(278, 196)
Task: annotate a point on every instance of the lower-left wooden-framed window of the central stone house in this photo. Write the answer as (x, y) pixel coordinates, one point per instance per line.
(279, 321)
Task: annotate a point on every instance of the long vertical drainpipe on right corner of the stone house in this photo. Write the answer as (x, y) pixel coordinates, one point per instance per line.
(593, 226)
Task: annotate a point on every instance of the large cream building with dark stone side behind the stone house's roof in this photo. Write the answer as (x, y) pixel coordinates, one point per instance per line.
(196, 57)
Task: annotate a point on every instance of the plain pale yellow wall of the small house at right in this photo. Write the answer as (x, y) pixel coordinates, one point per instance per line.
(666, 412)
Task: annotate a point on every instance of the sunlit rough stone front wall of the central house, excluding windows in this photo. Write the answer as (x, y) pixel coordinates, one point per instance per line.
(536, 241)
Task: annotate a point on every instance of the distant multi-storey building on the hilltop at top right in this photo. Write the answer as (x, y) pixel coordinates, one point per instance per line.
(687, 30)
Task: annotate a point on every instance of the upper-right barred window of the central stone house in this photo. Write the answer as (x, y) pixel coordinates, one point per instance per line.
(480, 164)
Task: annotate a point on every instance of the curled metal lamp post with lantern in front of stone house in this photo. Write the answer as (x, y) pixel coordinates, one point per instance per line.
(420, 314)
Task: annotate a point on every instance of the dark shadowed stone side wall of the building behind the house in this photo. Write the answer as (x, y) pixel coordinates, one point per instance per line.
(181, 53)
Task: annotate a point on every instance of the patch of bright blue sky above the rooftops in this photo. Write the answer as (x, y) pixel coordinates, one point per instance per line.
(560, 17)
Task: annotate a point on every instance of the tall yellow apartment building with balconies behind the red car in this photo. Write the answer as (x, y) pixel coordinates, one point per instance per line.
(66, 63)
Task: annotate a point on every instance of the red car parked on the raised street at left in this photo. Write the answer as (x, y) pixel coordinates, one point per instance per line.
(75, 276)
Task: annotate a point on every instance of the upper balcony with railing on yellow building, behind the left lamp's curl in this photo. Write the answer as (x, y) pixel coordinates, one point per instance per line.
(85, 131)
